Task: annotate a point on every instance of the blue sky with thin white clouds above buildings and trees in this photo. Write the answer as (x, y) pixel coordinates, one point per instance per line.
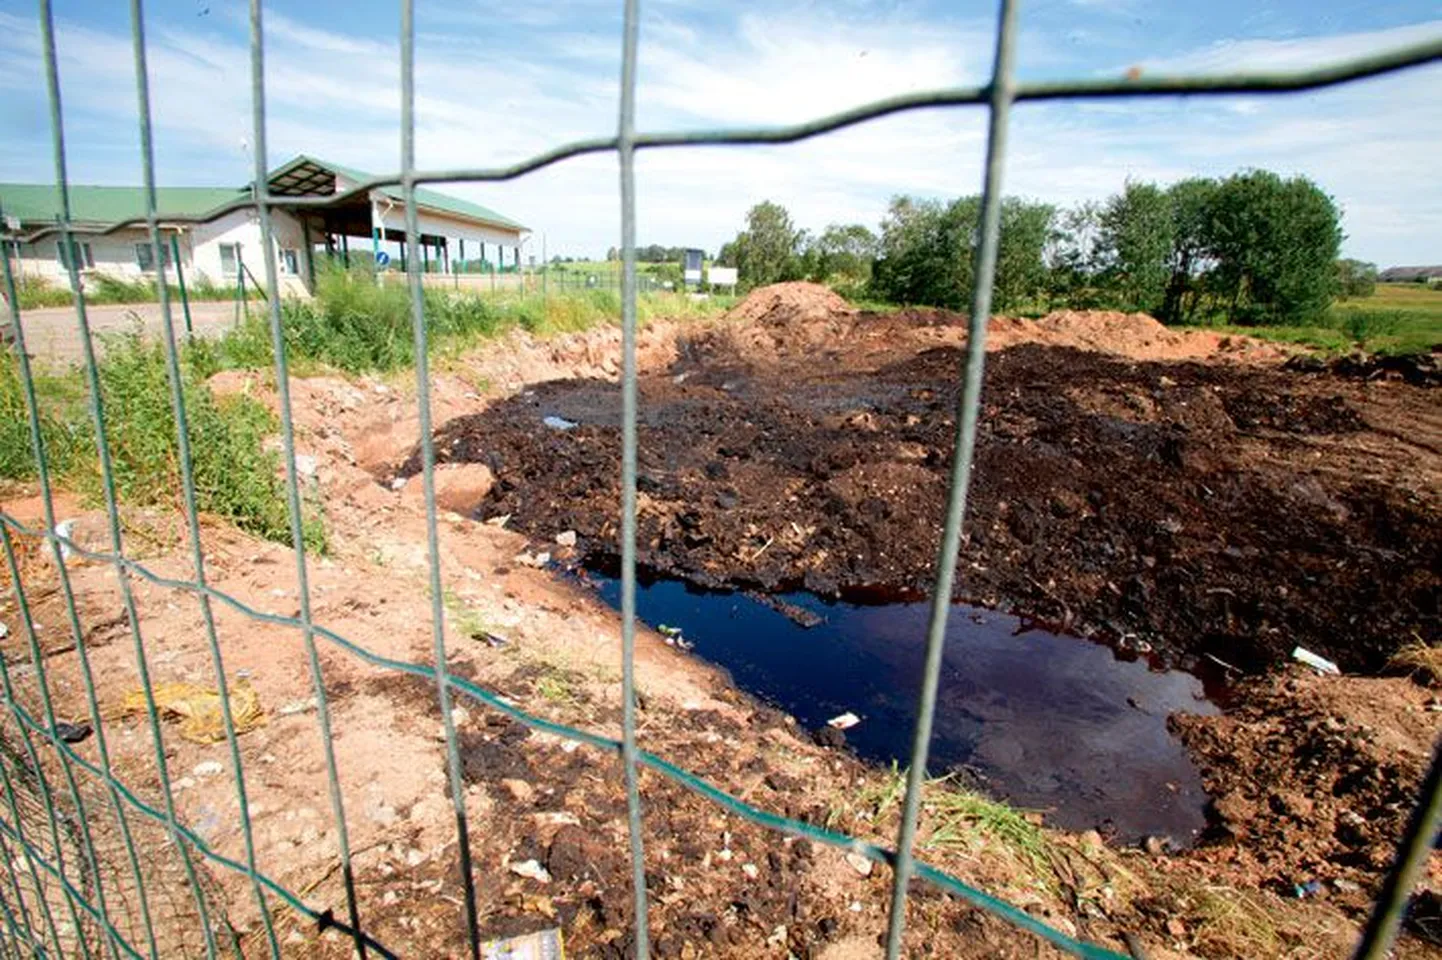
(500, 81)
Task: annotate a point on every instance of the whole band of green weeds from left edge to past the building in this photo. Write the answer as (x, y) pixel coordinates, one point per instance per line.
(353, 325)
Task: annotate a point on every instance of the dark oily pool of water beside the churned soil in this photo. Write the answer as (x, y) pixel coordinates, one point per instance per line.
(1053, 723)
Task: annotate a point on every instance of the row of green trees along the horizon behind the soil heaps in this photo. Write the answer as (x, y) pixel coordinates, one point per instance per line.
(1249, 249)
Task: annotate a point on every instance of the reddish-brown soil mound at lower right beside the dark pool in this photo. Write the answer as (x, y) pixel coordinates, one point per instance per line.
(1313, 779)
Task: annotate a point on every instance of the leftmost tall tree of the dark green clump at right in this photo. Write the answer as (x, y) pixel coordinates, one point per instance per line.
(1138, 236)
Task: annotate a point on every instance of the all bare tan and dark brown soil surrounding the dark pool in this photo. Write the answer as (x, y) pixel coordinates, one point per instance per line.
(794, 443)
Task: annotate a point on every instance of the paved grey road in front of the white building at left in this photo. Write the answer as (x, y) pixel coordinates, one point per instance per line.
(53, 334)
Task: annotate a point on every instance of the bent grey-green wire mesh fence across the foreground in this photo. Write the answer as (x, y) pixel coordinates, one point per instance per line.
(100, 864)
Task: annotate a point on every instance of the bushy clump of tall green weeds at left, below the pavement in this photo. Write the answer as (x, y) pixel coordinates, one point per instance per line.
(236, 478)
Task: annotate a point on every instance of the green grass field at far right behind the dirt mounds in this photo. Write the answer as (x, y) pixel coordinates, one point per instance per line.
(1397, 319)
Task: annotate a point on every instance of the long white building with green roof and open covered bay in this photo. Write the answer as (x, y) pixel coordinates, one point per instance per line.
(230, 239)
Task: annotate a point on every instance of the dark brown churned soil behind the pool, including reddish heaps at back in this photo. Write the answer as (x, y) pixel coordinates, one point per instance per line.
(1193, 507)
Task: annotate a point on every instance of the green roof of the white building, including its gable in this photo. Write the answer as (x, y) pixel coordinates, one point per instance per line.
(35, 204)
